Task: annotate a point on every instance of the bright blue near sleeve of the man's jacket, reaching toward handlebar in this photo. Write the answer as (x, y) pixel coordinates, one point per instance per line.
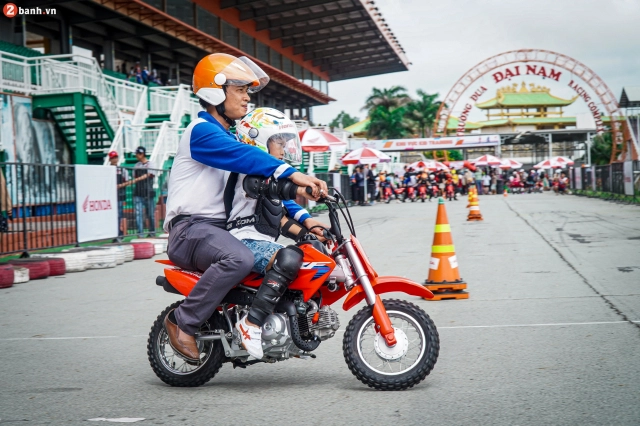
(222, 151)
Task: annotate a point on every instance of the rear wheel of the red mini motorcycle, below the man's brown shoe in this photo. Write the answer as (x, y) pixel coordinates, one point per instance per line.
(174, 370)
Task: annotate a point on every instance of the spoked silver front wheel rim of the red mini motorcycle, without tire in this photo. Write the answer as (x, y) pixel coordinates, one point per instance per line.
(403, 357)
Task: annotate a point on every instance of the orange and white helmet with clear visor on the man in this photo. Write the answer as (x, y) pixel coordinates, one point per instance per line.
(219, 69)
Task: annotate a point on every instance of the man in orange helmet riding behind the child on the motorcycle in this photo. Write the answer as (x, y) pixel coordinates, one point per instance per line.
(196, 217)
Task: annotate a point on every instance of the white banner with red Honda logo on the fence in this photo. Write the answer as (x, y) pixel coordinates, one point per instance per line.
(96, 203)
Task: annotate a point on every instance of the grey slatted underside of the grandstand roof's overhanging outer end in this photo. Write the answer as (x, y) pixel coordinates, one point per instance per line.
(345, 38)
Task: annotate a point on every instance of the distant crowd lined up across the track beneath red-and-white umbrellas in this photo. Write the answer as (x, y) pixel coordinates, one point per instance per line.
(401, 186)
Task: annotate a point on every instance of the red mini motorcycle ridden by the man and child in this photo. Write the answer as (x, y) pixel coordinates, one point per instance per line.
(389, 344)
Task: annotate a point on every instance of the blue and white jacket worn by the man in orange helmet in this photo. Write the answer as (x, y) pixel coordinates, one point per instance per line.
(205, 151)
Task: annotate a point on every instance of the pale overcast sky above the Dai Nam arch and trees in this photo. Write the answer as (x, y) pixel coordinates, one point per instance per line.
(443, 39)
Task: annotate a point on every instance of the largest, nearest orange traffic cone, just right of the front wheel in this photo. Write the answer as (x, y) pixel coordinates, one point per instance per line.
(444, 278)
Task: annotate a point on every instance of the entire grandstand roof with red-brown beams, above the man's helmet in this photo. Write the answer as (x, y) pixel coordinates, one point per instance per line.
(307, 42)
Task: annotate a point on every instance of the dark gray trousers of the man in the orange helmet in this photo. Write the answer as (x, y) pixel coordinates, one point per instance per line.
(201, 244)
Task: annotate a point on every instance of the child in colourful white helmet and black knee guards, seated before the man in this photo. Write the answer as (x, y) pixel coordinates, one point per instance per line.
(256, 220)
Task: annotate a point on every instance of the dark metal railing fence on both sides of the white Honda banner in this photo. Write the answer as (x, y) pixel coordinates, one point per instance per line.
(38, 205)
